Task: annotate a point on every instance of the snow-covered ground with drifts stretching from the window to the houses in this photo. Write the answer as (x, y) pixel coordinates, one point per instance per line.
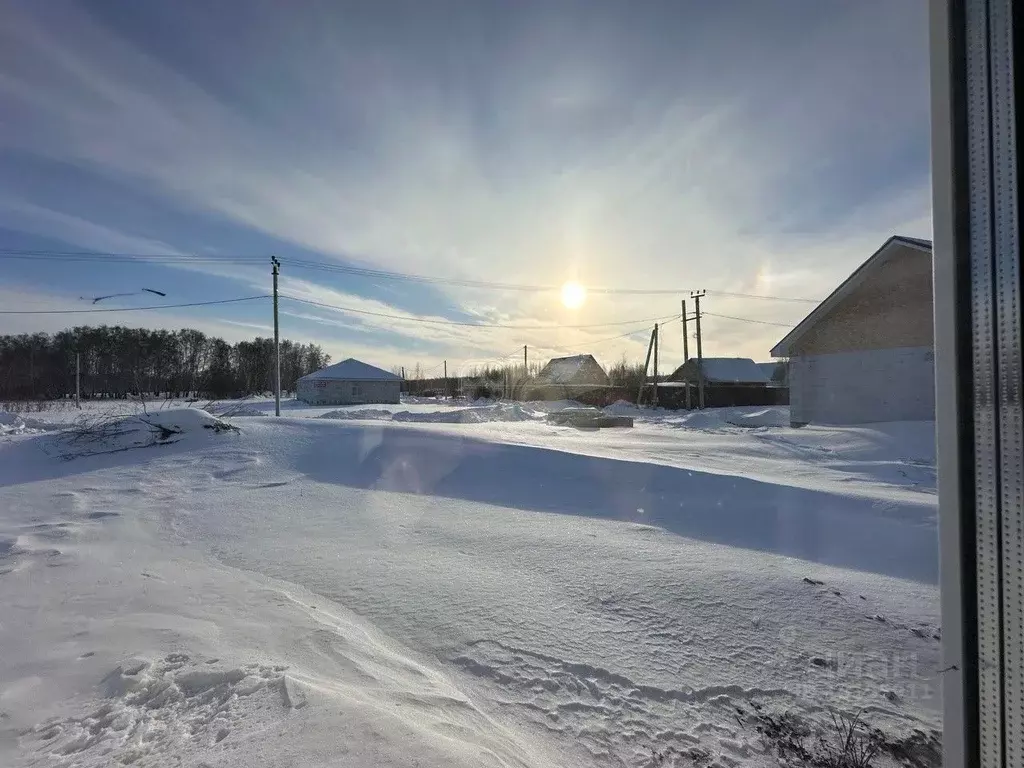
(456, 585)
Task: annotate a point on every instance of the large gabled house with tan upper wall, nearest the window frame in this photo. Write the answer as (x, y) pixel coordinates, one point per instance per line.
(867, 353)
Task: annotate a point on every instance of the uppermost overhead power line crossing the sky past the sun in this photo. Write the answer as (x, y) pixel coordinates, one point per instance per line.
(185, 260)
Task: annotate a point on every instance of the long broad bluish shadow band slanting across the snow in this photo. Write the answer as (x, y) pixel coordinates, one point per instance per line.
(898, 540)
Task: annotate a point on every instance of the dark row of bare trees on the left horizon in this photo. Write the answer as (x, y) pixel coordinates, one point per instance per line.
(118, 362)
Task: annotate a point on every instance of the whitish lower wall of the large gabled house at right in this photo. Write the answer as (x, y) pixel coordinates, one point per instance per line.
(864, 387)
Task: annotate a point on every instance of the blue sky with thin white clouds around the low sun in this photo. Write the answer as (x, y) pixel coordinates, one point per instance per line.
(763, 148)
